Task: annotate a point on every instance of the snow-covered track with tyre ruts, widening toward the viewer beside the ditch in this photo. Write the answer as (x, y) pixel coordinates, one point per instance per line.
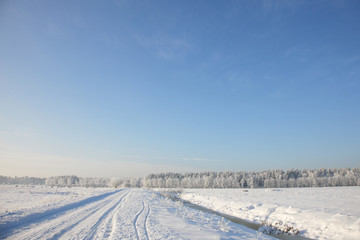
(123, 214)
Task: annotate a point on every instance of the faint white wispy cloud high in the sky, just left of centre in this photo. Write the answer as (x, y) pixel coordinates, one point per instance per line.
(165, 47)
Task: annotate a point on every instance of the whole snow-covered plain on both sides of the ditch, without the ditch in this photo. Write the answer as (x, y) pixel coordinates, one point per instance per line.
(42, 212)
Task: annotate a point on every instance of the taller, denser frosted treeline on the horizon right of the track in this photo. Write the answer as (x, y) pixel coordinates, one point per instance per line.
(263, 179)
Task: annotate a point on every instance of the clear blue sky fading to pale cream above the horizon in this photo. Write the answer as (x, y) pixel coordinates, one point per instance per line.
(128, 88)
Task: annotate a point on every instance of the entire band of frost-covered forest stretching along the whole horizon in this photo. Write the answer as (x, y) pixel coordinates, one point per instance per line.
(263, 179)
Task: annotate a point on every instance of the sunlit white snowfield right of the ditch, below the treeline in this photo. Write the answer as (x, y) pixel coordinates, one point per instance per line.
(320, 213)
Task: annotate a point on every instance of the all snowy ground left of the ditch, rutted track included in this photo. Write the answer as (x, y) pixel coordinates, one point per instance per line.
(82, 213)
